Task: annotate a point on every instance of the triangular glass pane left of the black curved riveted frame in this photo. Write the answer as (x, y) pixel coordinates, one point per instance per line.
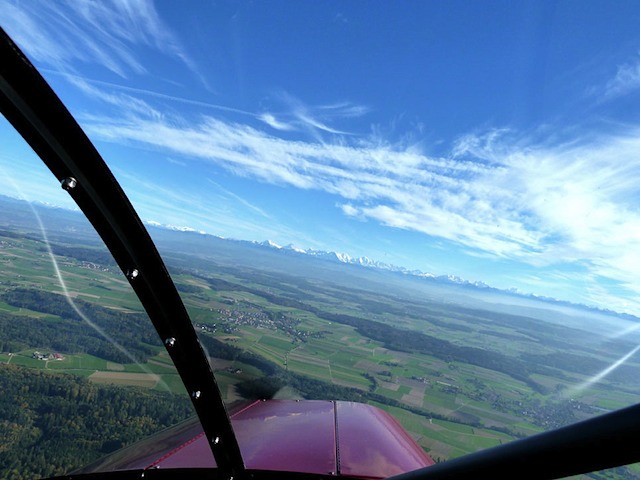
(82, 370)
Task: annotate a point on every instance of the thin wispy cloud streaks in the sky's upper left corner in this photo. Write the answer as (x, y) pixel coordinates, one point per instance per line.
(61, 33)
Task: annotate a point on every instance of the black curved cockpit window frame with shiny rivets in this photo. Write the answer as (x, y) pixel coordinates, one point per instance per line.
(36, 112)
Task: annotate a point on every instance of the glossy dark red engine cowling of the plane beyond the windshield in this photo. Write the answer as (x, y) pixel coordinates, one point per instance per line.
(309, 436)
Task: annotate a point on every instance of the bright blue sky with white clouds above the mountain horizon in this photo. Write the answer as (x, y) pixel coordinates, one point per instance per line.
(497, 141)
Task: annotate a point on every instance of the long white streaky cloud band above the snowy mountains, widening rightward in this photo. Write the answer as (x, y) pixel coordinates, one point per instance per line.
(495, 194)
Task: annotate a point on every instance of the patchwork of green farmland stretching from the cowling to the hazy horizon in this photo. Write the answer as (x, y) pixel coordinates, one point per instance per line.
(453, 404)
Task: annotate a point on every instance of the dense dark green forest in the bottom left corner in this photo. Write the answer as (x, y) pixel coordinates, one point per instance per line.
(53, 423)
